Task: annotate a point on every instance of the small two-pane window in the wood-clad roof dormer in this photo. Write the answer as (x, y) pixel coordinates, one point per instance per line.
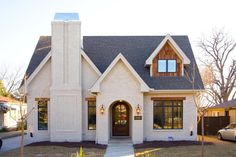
(166, 65)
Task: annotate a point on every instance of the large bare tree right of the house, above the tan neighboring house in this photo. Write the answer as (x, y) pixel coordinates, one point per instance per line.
(221, 65)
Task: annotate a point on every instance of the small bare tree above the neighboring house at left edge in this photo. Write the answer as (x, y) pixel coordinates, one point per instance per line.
(11, 79)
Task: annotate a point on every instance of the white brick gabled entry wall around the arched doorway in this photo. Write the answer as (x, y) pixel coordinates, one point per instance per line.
(119, 84)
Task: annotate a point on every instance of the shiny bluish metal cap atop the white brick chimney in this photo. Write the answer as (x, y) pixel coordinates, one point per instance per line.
(66, 17)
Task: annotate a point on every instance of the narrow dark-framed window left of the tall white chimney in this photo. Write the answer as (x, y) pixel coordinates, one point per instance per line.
(42, 115)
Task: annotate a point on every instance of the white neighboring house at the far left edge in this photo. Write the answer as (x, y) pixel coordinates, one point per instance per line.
(10, 112)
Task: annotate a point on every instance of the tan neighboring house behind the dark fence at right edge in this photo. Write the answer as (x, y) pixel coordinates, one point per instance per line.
(225, 109)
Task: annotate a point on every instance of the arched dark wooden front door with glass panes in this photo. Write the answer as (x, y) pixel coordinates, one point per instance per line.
(120, 120)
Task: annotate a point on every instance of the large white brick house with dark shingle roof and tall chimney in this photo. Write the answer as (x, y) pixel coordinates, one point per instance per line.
(110, 86)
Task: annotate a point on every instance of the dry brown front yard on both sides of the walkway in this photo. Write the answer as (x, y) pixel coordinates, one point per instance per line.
(214, 148)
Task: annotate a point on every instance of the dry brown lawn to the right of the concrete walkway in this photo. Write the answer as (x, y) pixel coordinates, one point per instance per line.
(216, 149)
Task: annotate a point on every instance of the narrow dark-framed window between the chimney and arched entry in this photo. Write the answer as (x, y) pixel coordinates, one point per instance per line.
(91, 115)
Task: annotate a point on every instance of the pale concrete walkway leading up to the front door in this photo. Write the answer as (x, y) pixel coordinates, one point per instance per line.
(120, 148)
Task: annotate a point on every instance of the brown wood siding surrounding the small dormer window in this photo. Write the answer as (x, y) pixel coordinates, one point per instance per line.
(167, 52)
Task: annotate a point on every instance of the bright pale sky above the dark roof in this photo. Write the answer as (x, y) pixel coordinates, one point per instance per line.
(23, 21)
